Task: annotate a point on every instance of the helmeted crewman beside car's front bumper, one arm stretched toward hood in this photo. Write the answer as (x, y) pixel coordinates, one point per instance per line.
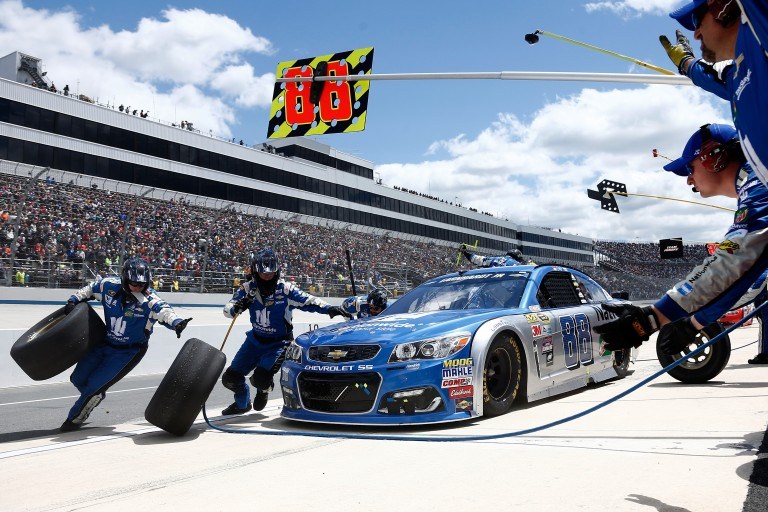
(270, 301)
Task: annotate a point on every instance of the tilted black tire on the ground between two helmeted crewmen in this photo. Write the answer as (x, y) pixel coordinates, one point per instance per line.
(185, 387)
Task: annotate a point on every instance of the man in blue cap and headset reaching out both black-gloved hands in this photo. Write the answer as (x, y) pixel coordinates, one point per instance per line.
(714, 165)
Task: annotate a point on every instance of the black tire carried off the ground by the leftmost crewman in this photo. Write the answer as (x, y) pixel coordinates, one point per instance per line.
(58, 341)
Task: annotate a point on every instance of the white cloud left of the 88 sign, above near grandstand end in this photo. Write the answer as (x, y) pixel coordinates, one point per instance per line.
(186, 65)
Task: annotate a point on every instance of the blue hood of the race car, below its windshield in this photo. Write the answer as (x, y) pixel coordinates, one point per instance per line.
(402, 328)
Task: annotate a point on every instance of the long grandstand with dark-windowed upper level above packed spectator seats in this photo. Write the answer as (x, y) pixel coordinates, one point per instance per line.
(86, 185)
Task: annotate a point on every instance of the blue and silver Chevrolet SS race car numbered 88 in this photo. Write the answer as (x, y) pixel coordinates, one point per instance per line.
(456, 347)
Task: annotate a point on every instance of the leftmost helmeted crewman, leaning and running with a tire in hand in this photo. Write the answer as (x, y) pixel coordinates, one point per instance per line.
(131, 310)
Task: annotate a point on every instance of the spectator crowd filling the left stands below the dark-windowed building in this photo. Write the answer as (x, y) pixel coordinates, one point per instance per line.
(63, 223)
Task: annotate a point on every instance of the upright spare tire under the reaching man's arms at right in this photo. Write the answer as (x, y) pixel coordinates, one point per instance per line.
(705, 366)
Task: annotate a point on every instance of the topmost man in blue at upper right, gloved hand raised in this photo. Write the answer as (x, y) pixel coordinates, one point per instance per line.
(734, 45)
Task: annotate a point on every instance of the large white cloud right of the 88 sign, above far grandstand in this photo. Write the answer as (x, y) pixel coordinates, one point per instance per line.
(541, 170)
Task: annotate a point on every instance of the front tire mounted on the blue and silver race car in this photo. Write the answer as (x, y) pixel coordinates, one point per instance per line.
(502, 375)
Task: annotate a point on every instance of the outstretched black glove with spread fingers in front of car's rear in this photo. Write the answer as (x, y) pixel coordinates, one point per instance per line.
(634, 326)
